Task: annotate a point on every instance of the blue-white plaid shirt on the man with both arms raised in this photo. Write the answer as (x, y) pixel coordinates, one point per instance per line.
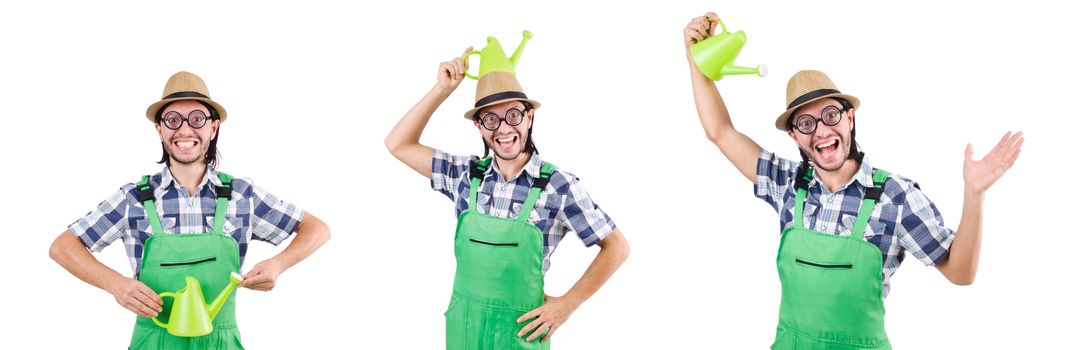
(904, 219)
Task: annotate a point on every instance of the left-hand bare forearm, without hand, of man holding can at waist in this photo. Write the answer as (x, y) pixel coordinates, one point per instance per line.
(69, 252)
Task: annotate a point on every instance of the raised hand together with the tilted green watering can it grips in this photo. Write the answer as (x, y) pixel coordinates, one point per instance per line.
(714, 55)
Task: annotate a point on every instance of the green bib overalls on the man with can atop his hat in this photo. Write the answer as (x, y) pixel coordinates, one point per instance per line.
(499, 274)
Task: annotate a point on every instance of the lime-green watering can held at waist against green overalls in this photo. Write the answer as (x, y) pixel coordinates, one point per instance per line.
(191, 316)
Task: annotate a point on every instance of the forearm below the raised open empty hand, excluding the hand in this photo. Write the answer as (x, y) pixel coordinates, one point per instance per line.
(961, 264)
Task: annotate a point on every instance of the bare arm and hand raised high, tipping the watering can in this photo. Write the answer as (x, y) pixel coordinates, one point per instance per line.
(740, 149)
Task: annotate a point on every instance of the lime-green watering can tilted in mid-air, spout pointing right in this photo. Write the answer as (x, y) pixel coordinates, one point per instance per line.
(714, 57)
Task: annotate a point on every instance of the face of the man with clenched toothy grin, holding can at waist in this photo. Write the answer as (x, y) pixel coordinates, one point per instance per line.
(187, 145)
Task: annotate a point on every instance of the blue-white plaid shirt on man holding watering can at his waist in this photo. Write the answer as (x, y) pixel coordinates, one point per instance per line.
(253, 214)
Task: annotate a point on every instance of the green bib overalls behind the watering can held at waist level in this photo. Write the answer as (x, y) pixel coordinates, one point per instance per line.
(169, 258)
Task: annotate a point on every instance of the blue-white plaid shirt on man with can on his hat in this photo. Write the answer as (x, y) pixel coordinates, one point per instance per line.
(563, 207)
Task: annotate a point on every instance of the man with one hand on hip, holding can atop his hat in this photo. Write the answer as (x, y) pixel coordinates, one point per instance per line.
(525, 207)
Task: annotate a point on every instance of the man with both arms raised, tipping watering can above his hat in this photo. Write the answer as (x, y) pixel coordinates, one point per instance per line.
(845, 224)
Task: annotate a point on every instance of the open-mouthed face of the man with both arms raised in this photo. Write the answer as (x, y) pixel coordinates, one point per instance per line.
(829, 146)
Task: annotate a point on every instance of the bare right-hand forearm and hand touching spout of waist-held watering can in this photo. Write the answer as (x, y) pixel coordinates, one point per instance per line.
(312, 234)
